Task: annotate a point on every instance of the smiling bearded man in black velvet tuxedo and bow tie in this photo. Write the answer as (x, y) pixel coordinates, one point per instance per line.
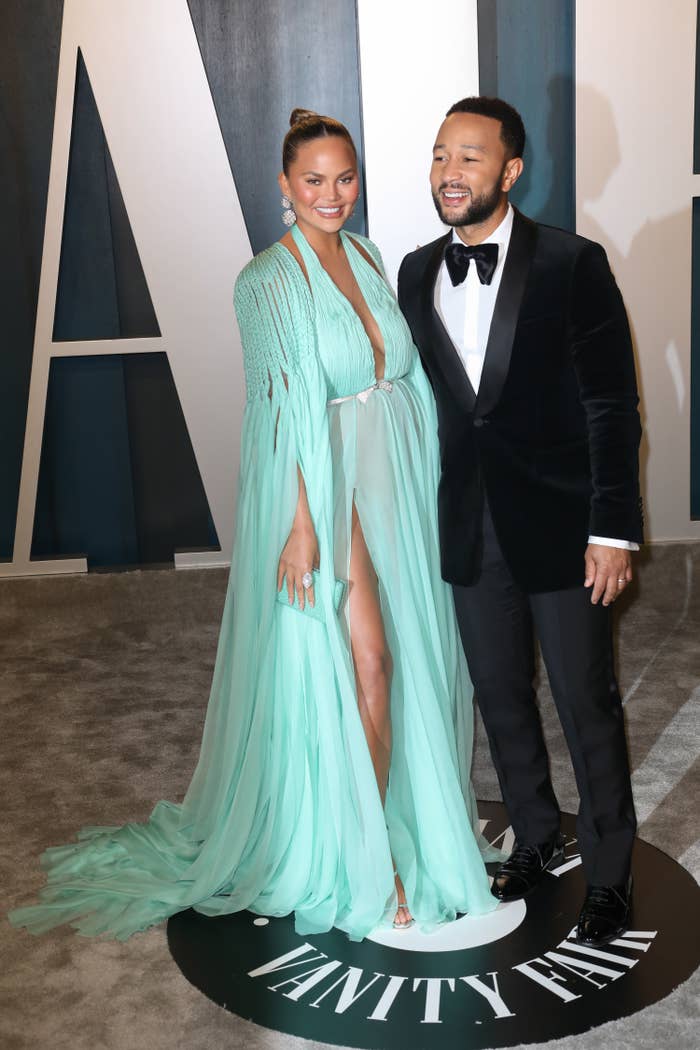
(523, 333)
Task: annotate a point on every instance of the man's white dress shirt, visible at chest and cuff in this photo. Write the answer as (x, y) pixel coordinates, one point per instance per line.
(466, 311)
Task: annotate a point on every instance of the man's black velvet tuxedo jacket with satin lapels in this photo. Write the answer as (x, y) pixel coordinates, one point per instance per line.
(553, 436)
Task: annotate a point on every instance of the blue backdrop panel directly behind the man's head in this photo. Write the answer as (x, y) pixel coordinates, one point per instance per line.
(526, 56)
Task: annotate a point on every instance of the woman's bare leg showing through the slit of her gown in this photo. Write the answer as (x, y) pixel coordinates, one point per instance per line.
(373, 669)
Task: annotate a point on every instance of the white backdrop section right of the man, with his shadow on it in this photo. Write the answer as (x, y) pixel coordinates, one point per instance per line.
(635, 92)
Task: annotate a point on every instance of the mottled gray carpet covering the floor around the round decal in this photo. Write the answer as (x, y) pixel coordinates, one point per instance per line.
(104, 681)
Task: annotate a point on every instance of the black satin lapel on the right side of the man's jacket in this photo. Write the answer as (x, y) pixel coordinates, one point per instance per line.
(506, 311)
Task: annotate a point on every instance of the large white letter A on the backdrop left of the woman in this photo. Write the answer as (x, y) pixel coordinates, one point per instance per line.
(164, 138)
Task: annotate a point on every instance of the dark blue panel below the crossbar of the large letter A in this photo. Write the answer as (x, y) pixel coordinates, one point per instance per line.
(116, 451)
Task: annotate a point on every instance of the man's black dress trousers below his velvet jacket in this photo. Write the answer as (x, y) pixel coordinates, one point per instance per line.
(498, 622)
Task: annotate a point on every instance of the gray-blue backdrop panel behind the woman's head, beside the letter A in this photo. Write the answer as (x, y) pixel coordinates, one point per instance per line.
(263, 60)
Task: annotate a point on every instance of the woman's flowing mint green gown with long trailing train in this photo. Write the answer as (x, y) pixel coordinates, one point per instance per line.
(284, 814)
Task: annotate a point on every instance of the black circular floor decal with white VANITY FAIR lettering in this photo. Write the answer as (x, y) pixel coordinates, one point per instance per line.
(516, 976)
